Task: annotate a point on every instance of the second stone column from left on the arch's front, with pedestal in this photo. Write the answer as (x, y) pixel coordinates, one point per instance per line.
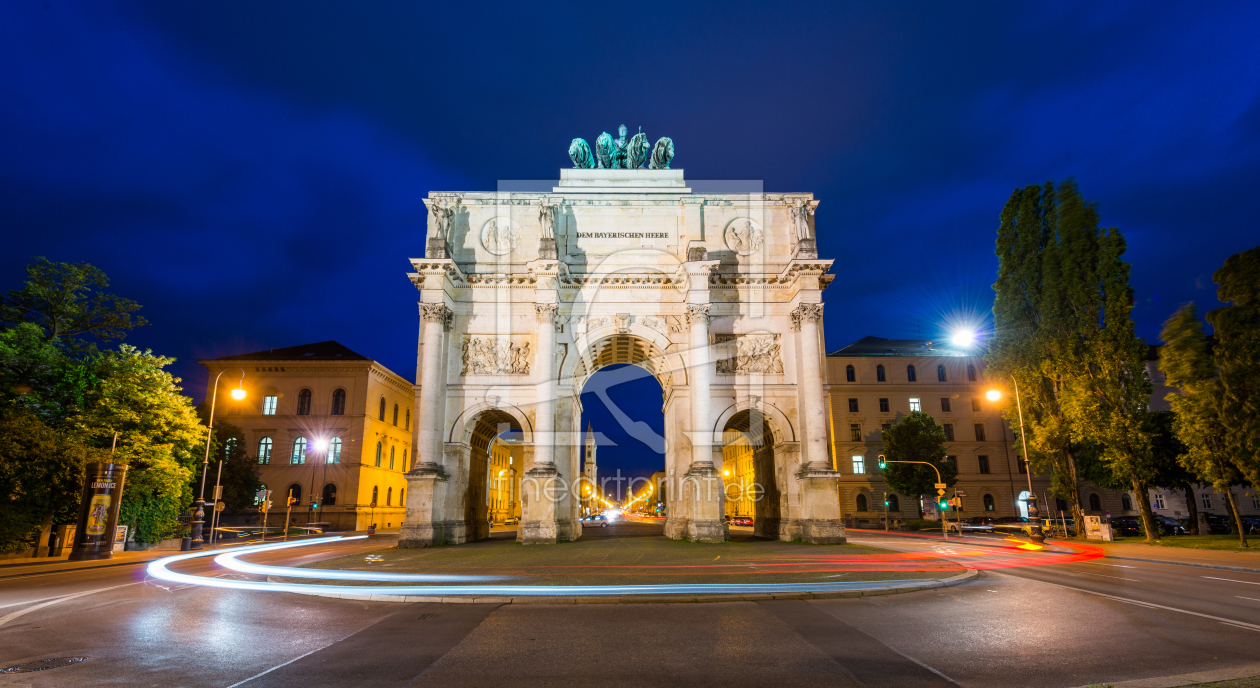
(539, 486)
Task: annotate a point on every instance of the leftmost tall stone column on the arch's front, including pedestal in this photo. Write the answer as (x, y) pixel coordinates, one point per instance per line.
(424, 524)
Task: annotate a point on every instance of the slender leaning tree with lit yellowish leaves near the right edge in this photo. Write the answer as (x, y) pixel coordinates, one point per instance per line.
(1189, 367)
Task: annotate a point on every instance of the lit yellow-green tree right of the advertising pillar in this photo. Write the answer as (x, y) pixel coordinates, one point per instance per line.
(161, 438)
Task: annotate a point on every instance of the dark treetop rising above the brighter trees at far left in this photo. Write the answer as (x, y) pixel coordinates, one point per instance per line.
(67, 301)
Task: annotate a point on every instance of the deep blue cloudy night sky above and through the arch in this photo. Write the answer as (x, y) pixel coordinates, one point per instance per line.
(253, 172)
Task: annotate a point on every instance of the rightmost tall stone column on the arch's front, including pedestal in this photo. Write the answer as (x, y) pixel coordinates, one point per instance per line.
(818, 516)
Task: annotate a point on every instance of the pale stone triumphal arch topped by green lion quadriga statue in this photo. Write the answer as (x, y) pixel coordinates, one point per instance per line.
(525, 294)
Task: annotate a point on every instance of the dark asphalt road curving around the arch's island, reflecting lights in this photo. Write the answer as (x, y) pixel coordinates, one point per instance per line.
(1055, 627)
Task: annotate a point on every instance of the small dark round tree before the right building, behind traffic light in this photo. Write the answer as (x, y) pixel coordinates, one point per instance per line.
(917, 438)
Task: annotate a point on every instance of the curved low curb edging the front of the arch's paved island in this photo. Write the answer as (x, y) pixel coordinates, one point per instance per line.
(932, 584)
